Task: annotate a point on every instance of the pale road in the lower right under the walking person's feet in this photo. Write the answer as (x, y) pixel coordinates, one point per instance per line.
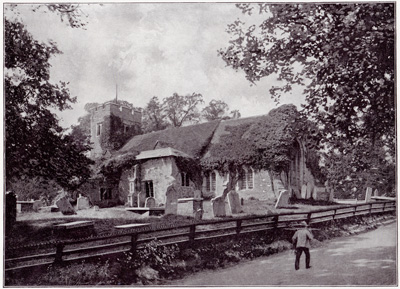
(365, 259)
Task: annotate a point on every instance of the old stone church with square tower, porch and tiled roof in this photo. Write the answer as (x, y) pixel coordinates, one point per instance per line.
(162, 157)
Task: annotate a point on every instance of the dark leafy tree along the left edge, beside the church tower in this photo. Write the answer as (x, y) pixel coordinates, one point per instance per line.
(36, 146)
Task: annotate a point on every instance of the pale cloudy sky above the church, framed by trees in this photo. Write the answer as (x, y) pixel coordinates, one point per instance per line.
(150, 50)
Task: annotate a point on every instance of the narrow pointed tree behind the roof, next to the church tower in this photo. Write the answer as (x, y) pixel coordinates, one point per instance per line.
(153, 116)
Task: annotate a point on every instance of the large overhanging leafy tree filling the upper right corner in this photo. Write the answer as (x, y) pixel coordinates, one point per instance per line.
(345, 51)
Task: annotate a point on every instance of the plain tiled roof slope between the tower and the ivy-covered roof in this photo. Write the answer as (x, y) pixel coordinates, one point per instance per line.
(191, 140)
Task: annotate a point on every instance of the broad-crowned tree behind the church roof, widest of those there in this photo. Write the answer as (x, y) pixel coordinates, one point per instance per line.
(181, 109)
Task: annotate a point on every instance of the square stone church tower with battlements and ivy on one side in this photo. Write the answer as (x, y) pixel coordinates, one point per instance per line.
(111, 125)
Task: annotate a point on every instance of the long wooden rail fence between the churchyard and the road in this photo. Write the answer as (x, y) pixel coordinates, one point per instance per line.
(71, 250)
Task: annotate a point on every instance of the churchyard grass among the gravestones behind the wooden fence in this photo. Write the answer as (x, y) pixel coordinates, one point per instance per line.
(34, 227)
